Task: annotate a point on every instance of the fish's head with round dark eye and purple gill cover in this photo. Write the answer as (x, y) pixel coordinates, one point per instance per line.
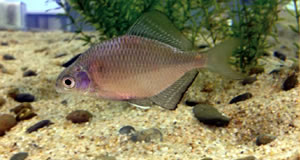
(74, 79)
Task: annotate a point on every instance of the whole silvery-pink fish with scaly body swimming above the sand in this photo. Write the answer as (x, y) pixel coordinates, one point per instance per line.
(152, 64)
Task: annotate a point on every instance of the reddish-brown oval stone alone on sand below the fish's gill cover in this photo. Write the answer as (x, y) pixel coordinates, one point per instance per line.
(79, 116)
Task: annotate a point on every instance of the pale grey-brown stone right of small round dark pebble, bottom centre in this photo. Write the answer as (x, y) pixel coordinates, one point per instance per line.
(147, 135)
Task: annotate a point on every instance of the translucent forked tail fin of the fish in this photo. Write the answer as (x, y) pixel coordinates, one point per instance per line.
(218, 59)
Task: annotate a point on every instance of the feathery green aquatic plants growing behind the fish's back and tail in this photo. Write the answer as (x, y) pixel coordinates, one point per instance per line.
(251, 21)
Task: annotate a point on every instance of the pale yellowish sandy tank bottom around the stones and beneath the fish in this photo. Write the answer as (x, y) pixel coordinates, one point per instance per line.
(270, 111)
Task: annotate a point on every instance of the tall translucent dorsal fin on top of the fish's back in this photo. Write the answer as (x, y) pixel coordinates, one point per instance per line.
(155, 25)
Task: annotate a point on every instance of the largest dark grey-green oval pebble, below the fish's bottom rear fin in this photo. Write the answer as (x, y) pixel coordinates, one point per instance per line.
(210, 115)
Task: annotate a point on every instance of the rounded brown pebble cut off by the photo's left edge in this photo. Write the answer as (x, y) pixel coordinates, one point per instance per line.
(7, 121)
